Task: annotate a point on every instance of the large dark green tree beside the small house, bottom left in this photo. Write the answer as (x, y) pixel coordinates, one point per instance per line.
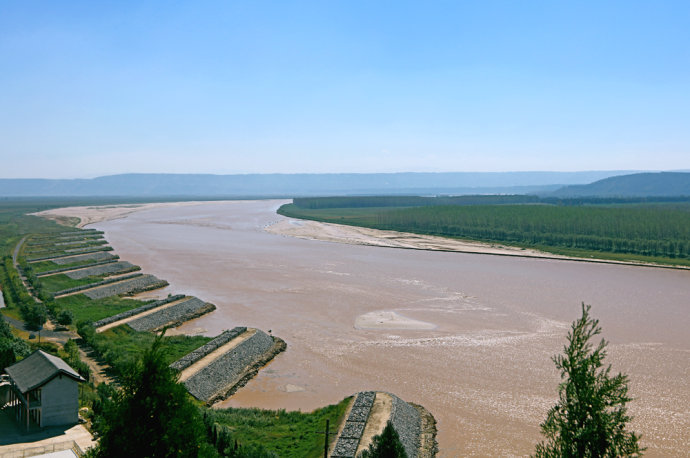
(152, 415)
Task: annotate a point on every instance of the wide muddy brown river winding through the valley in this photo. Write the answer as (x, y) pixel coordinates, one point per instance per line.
(479, 356)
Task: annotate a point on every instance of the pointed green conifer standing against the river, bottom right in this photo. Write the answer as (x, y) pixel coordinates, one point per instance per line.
(590, 417)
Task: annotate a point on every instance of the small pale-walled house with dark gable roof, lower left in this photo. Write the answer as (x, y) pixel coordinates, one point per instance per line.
(44, 391)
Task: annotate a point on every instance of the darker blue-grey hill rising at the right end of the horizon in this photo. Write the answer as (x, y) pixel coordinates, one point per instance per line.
(635, 185)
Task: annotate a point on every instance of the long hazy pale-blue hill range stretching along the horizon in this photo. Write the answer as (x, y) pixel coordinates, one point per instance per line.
(295, 185)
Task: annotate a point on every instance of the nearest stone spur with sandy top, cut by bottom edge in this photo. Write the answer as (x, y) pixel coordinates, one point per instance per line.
(368, 416)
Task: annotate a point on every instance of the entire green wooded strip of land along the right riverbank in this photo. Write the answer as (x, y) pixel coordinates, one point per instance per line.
(621, 229)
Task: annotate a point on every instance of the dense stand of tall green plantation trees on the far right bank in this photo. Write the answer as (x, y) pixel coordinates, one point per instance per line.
(649, 231)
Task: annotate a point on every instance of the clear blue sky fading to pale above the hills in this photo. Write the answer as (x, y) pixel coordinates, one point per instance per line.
(97, 88)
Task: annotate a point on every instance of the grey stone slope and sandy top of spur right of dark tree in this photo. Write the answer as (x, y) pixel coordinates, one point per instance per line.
(228, 370)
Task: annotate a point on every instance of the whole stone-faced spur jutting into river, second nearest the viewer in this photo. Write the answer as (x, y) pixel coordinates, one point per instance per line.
(234, 369)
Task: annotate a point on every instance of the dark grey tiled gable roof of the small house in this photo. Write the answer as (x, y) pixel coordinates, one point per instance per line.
(38, 368)
